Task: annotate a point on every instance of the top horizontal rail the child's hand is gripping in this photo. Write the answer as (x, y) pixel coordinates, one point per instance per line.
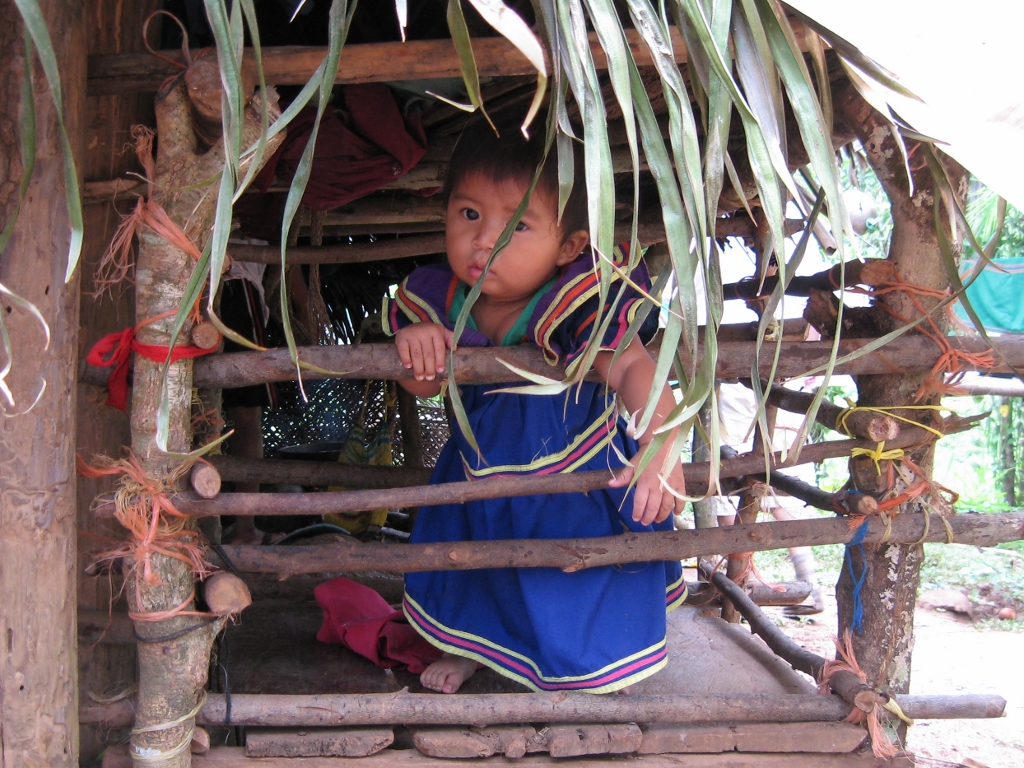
(484, 365)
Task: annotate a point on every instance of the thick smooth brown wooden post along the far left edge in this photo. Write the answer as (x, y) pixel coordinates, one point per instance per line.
(38, 633)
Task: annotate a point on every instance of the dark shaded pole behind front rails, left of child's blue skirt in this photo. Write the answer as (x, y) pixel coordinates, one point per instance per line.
(297, 473)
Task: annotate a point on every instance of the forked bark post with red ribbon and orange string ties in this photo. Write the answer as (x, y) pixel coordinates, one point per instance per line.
(173, 225)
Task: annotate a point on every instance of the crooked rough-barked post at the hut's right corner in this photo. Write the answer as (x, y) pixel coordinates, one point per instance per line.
(883, 649)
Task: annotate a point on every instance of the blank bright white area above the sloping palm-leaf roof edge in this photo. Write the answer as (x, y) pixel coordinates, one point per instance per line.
(964, 60)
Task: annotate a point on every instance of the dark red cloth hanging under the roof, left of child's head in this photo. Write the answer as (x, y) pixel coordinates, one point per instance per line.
(352, 160)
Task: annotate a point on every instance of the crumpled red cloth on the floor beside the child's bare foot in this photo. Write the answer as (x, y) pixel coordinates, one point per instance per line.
(361, 620)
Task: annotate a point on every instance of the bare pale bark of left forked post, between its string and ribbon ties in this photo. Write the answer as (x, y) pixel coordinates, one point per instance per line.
(173, 672)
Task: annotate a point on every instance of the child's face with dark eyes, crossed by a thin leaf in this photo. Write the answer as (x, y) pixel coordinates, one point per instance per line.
(478, 214)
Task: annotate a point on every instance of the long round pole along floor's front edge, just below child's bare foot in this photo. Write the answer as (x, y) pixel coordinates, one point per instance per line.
(497, 709)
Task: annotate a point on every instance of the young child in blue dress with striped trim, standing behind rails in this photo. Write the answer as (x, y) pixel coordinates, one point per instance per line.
(598, 630)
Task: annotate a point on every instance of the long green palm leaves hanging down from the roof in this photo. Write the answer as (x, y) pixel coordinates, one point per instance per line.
(744, 62)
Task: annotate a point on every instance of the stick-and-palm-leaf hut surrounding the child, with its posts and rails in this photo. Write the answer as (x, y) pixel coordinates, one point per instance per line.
(204, 227)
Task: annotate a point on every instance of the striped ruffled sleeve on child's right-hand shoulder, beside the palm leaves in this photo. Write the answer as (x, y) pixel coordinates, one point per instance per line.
(565, 319)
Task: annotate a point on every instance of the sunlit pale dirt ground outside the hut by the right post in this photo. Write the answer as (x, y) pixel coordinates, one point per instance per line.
(950, 657)
